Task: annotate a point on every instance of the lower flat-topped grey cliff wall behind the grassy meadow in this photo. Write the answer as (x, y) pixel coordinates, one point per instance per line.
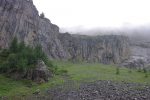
(105, 49)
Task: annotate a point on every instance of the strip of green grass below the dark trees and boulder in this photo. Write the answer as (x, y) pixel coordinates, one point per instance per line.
(10, 87)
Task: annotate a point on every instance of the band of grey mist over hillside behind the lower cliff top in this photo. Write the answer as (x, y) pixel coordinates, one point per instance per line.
(135, 33)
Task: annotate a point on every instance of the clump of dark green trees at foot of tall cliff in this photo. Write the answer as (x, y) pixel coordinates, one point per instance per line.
(19, 57)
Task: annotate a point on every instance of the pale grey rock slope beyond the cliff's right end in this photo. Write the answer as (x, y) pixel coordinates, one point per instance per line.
(140, 55)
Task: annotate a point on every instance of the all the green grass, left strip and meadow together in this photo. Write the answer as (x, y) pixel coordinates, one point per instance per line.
(78, 72)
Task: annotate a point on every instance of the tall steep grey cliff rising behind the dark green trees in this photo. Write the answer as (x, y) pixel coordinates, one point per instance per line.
(21, 19)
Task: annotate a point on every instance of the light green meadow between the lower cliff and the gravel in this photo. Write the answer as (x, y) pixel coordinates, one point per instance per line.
(94, 71)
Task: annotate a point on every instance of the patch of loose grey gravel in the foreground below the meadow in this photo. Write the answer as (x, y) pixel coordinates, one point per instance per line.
(102, 90)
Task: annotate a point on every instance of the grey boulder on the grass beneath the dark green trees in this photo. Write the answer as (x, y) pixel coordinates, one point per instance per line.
(40, 73)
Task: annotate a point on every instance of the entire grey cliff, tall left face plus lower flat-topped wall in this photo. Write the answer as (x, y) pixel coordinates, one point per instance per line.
(20, 18)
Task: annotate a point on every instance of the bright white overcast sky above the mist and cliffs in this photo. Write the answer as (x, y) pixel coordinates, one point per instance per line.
(95, 13)
